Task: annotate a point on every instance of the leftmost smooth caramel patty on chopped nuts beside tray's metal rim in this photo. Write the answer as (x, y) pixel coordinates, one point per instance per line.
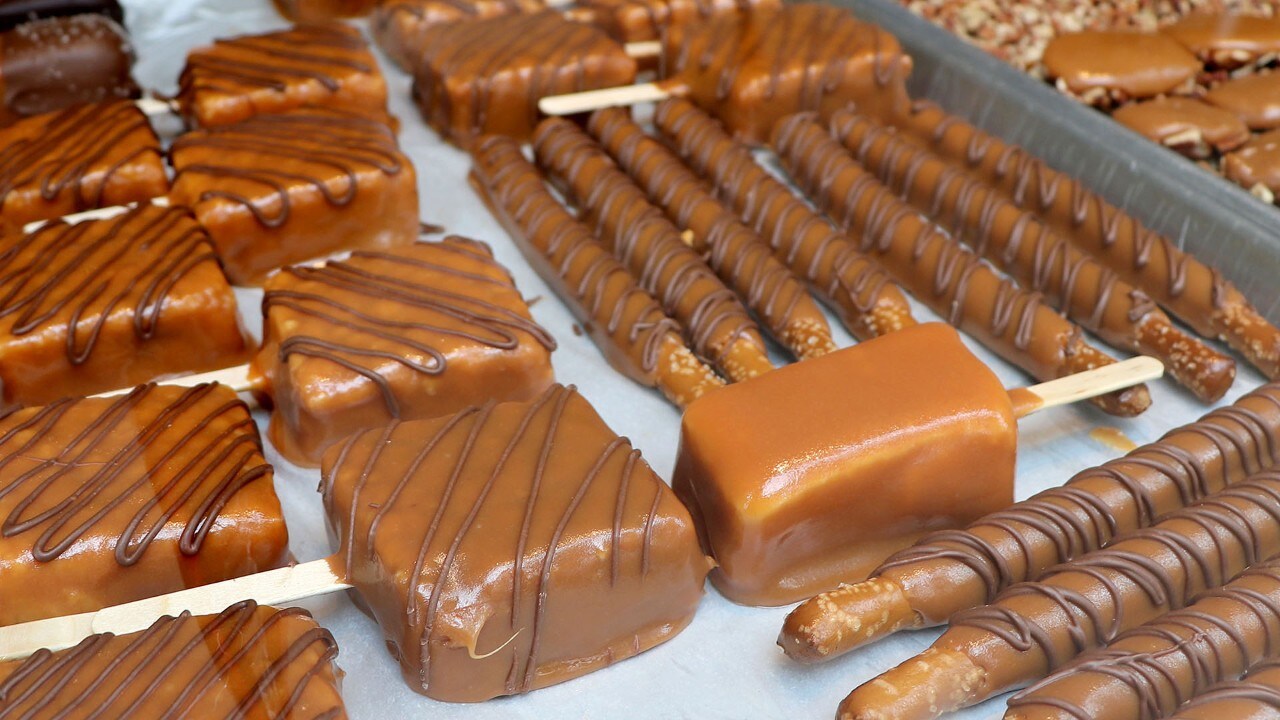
(1109, 69)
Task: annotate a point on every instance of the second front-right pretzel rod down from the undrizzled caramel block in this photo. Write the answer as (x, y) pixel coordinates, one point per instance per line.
(1035, 628)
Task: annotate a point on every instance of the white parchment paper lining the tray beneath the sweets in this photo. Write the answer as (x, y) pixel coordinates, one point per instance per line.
(726, 666)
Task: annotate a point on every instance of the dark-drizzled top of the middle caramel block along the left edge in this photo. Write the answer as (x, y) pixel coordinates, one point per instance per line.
(45, 289)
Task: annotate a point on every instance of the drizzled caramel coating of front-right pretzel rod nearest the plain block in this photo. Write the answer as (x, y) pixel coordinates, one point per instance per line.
(1022, 543)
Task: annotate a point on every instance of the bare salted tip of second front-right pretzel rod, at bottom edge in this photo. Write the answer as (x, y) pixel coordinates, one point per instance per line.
(929, 686)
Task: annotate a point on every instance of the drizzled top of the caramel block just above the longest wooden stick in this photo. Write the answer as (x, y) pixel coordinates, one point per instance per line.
(230, 459)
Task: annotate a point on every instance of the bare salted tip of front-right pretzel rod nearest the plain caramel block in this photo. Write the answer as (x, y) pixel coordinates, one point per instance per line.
(844, 619)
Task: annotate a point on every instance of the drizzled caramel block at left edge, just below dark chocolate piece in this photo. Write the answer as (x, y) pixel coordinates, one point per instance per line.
(77, 160)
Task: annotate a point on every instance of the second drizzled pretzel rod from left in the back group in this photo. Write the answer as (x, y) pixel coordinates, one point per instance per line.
(641, 236)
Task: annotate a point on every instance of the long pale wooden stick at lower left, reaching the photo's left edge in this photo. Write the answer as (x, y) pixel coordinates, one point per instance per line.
(280, 587)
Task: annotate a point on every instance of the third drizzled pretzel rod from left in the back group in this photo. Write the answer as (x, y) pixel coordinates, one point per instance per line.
(734, 250)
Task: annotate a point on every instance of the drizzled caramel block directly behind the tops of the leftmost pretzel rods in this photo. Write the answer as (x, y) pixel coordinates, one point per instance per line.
(486, 78)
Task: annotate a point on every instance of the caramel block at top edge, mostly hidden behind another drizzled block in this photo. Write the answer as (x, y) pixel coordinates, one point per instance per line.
(401, 28)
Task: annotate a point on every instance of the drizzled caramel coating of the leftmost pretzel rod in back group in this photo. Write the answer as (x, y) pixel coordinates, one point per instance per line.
(597, 282)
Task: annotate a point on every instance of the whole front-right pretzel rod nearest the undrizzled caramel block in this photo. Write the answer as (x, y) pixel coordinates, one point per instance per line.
(949, 572)
